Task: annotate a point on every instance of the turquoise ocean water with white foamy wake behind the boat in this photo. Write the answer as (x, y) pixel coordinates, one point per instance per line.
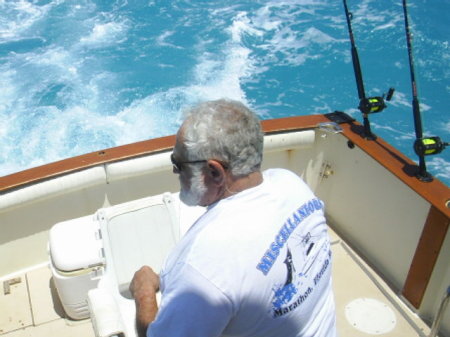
(79, 76)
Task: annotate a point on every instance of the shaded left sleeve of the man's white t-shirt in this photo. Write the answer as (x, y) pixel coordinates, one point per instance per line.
(191, 306)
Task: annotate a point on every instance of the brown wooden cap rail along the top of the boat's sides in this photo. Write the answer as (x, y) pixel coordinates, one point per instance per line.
(435, 192)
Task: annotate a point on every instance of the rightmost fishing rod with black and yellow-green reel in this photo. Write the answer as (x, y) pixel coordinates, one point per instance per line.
(422, 146)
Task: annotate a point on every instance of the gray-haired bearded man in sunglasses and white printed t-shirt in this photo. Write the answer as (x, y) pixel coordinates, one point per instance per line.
(258, 262)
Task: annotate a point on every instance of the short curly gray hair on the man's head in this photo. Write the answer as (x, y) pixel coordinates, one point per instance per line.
(227, 131)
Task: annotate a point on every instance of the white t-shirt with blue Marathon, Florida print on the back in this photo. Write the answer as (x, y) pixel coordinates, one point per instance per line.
(255, 264)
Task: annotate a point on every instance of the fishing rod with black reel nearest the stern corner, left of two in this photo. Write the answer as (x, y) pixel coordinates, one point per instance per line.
(367, 105)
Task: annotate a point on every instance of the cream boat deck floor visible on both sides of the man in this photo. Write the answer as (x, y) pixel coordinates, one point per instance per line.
(32, 307)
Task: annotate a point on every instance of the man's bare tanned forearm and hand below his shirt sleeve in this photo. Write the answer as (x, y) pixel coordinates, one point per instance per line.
(143, 287)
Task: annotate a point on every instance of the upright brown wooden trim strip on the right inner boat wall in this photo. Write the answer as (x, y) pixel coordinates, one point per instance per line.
(425, 257)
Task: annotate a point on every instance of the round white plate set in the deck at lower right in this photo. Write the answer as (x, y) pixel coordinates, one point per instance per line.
(370, 316)
